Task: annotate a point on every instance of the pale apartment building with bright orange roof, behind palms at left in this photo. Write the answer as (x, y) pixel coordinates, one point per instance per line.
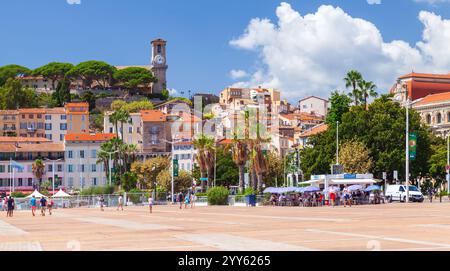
(81, 168)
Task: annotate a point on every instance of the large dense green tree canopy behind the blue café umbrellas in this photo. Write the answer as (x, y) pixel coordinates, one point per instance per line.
(381, 129)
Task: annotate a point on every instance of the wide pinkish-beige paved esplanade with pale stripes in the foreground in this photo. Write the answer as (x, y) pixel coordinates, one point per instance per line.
(383, 227)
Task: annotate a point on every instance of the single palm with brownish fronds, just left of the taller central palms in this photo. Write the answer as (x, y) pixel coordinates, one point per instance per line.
(205, 158)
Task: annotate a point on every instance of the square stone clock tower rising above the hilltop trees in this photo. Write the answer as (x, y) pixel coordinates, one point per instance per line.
(159, 65)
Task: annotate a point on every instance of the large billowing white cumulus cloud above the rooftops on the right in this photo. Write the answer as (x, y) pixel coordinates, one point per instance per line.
(310, 54)
